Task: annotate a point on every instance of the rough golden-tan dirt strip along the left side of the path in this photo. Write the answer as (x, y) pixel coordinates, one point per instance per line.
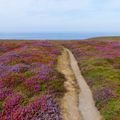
(70, 102)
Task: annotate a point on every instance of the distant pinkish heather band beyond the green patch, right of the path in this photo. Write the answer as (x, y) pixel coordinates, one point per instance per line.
(106, 49)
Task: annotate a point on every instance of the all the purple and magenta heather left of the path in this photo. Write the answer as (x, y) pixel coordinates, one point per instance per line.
(27, 72)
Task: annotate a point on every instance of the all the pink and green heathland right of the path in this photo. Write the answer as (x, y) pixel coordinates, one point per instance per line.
(99, 61)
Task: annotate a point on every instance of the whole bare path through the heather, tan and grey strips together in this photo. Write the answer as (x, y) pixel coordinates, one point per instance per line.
(77, 103)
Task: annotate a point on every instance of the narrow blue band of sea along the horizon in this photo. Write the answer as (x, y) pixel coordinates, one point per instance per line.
(52, 36)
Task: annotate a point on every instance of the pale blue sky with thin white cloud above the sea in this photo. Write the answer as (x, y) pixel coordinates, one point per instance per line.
(60, 16)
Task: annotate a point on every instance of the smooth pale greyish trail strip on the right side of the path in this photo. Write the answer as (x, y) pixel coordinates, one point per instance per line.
(86, 102)
